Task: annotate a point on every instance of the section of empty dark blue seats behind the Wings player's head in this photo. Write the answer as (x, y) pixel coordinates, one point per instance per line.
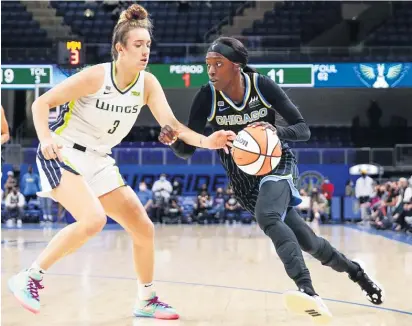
(170, 22)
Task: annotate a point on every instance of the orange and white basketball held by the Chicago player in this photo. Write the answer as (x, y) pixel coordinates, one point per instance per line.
(256, 151)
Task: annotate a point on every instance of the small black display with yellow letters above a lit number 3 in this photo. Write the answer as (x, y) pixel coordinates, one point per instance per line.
(71, 53)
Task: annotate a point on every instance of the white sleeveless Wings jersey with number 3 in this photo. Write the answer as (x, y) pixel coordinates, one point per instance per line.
(101, 120)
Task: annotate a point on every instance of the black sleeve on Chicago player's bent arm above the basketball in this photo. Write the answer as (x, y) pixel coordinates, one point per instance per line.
(297, 130)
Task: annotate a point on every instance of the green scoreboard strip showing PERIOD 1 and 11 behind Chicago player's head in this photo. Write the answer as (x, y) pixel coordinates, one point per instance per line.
(195, 75)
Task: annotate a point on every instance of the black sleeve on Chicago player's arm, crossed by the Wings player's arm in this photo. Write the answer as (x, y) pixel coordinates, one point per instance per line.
(199, 112)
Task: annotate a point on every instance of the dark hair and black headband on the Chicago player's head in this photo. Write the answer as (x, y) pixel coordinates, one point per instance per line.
(232, 49)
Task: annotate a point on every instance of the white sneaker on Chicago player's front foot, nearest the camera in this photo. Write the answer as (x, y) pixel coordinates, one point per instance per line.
(301, 303)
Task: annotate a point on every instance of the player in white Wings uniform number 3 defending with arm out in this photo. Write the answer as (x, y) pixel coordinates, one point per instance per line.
(75, 167)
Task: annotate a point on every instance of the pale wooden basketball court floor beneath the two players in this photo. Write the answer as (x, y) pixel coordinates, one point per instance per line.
(213, 275)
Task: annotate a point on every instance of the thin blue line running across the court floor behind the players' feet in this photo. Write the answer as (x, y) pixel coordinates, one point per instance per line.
(234, 288)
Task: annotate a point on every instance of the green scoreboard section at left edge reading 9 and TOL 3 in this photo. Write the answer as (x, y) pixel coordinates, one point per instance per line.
(26, 76)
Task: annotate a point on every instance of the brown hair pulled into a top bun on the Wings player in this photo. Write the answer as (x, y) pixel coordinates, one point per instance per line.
(133, 17)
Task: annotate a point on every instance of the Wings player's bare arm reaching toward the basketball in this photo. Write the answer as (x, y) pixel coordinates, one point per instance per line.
(157, 102)
